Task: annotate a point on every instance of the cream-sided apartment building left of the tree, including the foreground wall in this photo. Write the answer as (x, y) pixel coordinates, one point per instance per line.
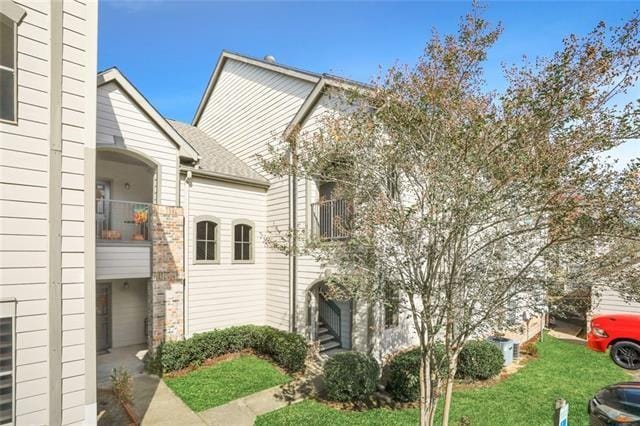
(120, 229)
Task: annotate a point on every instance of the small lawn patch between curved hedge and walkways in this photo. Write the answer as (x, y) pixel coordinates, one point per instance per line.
(225, 381)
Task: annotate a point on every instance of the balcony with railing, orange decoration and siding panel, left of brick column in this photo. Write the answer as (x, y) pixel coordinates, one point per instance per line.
(123, 239)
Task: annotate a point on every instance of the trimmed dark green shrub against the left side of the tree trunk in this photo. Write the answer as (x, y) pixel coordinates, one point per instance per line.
(404, 374)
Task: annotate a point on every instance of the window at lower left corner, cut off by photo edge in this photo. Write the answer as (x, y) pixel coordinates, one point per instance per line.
(7, 362)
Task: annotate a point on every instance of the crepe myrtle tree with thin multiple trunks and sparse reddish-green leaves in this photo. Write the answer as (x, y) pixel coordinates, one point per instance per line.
(457, 193)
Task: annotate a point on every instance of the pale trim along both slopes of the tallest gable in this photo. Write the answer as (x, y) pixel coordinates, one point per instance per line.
(225, 55)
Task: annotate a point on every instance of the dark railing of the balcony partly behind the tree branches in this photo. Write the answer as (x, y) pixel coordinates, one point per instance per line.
(330, 219)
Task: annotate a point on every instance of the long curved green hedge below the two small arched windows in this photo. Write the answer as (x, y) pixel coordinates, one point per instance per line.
(288, 350)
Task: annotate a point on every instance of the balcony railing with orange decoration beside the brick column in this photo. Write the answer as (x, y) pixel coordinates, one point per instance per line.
(122, 221)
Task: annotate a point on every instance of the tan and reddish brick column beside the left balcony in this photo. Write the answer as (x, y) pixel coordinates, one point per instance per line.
(167, 275)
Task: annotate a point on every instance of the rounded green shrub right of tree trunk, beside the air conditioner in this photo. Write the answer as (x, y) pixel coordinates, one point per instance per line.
(479, 360)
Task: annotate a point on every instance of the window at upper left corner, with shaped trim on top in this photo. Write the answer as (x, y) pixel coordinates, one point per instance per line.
(10, 16)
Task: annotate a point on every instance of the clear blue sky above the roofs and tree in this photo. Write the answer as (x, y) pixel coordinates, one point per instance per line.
(169, 48)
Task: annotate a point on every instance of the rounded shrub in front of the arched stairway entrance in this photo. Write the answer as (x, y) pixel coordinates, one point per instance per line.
(351, 376)
